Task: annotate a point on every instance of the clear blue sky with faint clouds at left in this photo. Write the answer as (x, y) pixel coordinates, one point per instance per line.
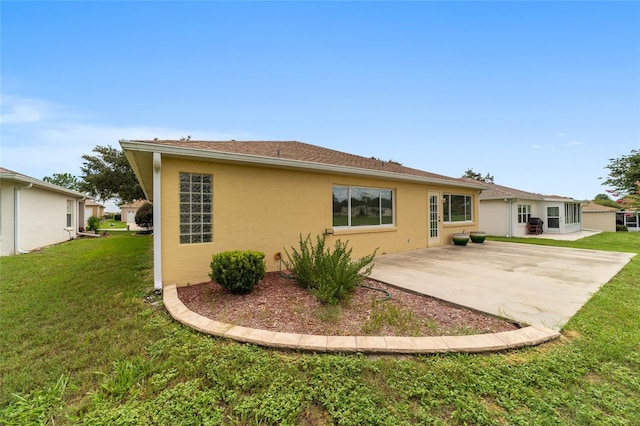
(538, 94)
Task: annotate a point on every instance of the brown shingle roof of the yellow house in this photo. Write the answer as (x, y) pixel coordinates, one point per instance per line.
(303, 152)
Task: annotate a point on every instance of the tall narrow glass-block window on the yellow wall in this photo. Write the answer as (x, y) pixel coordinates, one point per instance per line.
(196, 200)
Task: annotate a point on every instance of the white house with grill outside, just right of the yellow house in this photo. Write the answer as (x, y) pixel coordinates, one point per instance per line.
(506, 212)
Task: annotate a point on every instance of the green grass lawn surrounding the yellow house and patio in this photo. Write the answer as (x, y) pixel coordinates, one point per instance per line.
(85, 341)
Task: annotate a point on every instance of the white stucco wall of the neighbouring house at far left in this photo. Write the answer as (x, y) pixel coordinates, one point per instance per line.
(43, 218)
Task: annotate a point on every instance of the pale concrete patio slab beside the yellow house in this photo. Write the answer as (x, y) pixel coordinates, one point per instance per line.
(536, 285)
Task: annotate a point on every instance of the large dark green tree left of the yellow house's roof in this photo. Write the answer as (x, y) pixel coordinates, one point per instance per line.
(108, 175)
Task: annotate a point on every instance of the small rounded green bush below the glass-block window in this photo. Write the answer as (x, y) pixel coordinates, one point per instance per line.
(238, 271)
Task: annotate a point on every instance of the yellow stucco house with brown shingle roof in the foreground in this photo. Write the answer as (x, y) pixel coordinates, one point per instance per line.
(211, 197)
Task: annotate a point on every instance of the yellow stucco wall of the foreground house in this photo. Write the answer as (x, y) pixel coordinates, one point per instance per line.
(267, 209)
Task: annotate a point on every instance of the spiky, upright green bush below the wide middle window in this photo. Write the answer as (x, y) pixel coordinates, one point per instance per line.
(330, 276)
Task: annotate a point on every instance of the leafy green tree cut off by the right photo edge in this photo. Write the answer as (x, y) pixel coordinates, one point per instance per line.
(624, 177)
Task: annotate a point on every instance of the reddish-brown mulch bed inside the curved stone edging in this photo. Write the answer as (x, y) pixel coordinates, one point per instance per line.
(277, 303)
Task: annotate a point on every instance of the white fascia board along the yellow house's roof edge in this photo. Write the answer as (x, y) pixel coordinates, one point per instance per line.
(286, 163)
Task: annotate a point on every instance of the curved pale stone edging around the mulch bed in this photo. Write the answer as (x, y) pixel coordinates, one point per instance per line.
(527, 336)
